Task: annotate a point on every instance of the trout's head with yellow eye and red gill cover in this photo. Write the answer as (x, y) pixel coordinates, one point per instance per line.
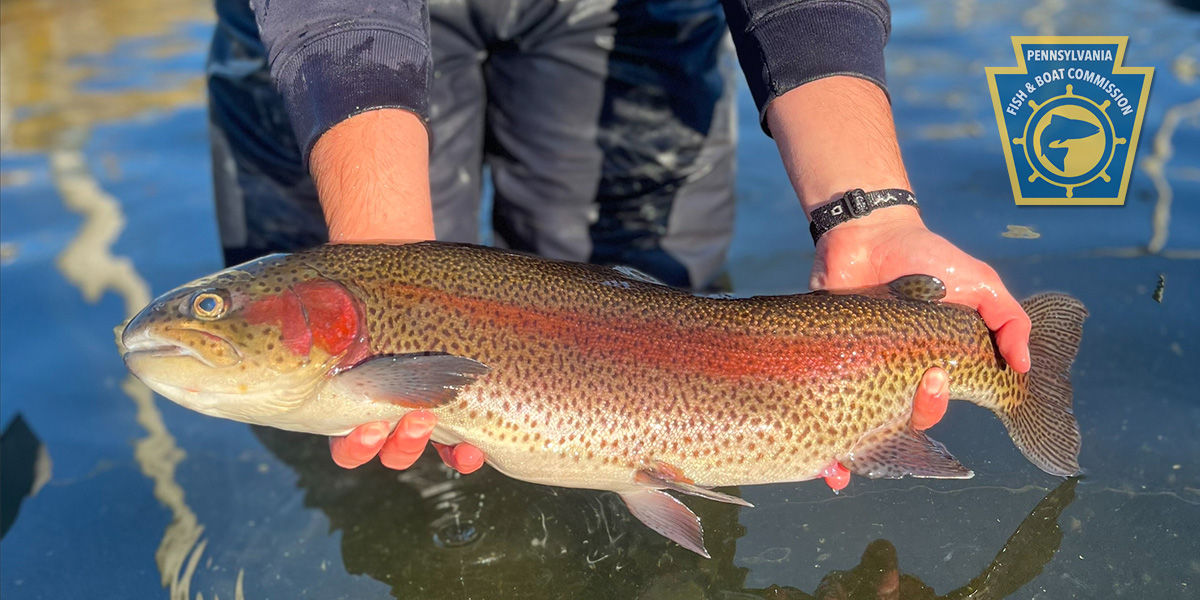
(249, 343)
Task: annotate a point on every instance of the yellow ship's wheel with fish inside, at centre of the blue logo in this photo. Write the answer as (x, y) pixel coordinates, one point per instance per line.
(1070, 141)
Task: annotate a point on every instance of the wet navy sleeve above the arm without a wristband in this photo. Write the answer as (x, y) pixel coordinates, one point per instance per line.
(333, 59)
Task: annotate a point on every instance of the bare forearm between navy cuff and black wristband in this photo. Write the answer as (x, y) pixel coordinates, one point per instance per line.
(837, 135)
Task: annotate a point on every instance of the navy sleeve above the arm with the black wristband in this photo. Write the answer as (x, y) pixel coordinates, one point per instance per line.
(785, 44)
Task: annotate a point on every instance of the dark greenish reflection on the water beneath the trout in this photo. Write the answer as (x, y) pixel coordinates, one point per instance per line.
(429, 532)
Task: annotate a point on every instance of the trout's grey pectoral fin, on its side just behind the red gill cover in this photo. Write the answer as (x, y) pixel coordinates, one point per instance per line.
(413, 381)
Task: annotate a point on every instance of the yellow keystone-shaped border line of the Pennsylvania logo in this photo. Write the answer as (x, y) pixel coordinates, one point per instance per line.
(1022, 69)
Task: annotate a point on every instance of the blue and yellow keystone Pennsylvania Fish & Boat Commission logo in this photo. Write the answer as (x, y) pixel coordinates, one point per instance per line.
(1070, 117)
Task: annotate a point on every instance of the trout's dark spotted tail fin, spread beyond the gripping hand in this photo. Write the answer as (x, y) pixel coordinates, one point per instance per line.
(1041, 421)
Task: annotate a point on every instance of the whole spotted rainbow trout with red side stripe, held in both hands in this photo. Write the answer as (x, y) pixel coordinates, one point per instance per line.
(595, 377)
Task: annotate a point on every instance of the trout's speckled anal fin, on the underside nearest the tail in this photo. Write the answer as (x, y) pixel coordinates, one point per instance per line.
(898, 452)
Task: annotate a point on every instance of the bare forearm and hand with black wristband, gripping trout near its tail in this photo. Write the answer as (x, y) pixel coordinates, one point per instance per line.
(818, 127)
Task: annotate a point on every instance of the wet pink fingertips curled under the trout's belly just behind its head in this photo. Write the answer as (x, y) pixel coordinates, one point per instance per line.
(400, 448)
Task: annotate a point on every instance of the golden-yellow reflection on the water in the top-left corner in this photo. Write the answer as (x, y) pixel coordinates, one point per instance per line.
(53, 81)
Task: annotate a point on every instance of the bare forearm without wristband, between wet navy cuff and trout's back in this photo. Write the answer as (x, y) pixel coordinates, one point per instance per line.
(373, 177)
